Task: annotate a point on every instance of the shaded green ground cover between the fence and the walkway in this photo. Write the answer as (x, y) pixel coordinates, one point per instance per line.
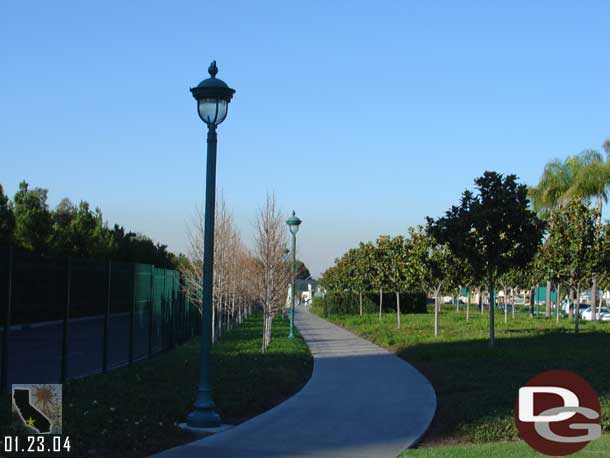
(132, 412)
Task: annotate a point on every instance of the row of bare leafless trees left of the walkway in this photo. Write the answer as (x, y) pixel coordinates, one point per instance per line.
(243, 278)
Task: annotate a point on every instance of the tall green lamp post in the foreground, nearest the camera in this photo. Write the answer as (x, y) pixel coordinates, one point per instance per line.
(213, 97)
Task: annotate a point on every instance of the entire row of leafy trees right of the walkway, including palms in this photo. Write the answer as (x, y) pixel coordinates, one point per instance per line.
(502, 234)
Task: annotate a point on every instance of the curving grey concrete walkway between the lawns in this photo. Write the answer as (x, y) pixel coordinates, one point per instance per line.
(361, 402)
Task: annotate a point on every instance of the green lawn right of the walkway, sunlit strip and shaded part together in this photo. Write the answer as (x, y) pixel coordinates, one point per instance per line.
(476, 385)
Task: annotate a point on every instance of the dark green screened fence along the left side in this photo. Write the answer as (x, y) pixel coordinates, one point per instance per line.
(116, 312)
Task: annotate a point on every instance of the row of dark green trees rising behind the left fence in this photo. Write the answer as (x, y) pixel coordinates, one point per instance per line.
(71, 230)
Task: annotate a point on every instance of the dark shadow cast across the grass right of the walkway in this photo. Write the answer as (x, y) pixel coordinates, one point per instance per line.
(477, 385)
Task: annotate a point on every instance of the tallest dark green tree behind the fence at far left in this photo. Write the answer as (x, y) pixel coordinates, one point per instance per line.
(32, 218)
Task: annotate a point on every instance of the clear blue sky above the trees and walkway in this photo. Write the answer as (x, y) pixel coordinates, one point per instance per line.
(362, 116)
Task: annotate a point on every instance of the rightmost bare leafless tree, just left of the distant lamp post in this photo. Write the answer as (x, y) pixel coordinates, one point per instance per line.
(272, 269)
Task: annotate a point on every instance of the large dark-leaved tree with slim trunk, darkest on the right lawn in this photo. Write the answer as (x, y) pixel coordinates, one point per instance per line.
(493, 230)
